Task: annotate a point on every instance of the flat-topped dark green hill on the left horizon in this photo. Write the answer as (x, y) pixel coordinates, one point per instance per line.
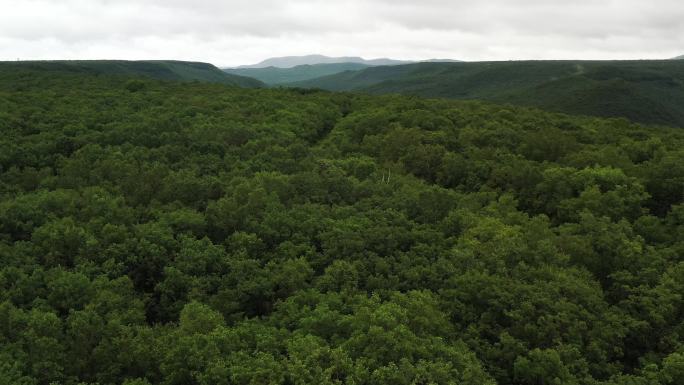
(157, 69)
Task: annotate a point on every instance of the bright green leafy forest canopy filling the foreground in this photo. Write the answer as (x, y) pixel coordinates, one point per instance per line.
(185, 233)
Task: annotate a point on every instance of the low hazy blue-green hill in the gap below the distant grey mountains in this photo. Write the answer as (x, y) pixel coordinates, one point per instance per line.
(276, 75)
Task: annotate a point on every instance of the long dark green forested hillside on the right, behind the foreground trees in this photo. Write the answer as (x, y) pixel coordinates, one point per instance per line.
(649, 91)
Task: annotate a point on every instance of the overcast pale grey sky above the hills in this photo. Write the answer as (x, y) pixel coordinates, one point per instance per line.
(243, 32)
